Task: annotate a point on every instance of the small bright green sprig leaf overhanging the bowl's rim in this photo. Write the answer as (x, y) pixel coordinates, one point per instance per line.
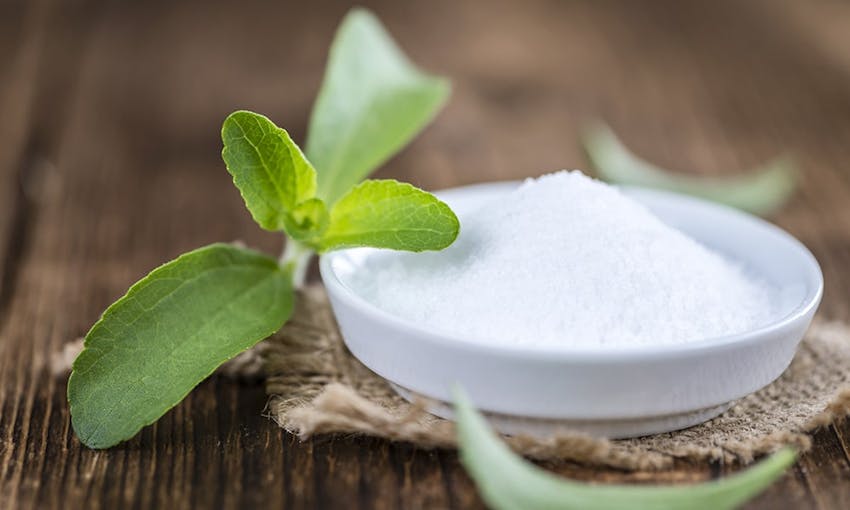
(390, 214)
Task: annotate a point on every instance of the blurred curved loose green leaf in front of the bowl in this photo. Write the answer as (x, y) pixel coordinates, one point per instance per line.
(506, 481)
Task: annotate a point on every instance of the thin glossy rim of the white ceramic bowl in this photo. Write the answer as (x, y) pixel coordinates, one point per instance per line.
(445, 339)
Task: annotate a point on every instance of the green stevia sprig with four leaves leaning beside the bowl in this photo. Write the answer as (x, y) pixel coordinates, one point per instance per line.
(179, 323)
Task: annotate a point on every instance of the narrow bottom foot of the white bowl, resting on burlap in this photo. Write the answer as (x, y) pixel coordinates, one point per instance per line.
(608, 428)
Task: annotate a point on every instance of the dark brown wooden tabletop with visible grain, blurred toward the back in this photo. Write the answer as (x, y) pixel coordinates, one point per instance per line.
(110, 165)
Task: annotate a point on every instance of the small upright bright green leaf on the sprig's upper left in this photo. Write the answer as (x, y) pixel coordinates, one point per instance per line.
(269, 169)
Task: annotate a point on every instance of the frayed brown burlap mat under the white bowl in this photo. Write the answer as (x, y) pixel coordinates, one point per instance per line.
(317, 387)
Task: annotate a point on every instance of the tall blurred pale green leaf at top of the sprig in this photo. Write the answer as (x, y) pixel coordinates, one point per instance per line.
(372, 102)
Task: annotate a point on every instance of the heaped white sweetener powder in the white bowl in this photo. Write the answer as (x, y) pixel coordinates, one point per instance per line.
(567, 261)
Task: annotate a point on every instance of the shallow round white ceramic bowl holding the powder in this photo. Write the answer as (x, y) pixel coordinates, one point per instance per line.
(619, 393)
